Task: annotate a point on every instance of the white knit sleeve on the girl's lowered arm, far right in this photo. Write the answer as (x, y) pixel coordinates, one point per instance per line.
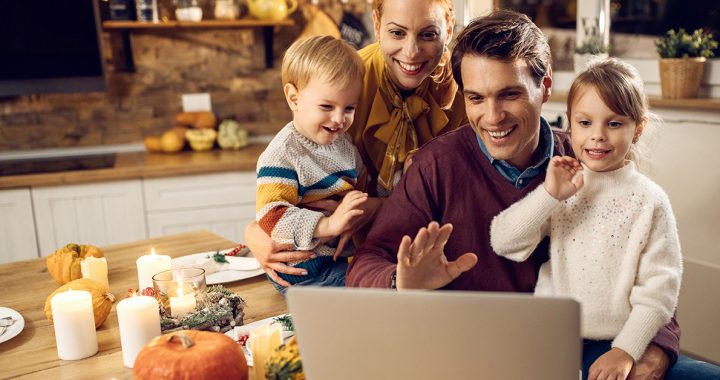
(654, 296)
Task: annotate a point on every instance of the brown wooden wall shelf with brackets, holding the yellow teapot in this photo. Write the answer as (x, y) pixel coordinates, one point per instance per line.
(127, 27)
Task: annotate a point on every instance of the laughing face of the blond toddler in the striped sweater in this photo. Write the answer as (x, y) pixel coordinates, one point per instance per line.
(323, 110)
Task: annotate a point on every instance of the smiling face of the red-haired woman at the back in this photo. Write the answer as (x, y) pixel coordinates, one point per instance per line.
(412, 35)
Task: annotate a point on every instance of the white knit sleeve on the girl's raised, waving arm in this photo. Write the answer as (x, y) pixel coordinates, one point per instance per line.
(516, 232)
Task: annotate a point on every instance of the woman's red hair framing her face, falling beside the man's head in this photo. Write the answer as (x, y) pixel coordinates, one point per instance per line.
(442, 75)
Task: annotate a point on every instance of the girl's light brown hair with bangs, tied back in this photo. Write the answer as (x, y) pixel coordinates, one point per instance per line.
(621, 89)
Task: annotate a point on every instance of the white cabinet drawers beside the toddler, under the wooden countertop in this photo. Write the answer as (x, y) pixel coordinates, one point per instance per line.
(220, 203)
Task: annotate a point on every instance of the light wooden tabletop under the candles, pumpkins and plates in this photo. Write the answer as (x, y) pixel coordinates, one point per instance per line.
(25, 285)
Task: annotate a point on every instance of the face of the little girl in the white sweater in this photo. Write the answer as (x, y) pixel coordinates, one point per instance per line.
(600, 138)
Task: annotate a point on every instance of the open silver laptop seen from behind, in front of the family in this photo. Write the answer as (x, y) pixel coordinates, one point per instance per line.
(348, 333)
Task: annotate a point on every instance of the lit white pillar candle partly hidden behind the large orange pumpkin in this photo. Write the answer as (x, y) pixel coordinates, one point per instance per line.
(139, 322)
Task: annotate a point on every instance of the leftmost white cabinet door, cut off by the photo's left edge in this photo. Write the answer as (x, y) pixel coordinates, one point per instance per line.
(17, 230)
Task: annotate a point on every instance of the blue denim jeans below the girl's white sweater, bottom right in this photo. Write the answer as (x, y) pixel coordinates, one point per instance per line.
(684, 369)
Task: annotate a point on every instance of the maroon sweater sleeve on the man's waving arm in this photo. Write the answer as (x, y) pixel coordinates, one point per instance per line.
(408, 208)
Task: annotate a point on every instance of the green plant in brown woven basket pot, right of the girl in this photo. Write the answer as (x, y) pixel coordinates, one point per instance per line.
(682, 61)
